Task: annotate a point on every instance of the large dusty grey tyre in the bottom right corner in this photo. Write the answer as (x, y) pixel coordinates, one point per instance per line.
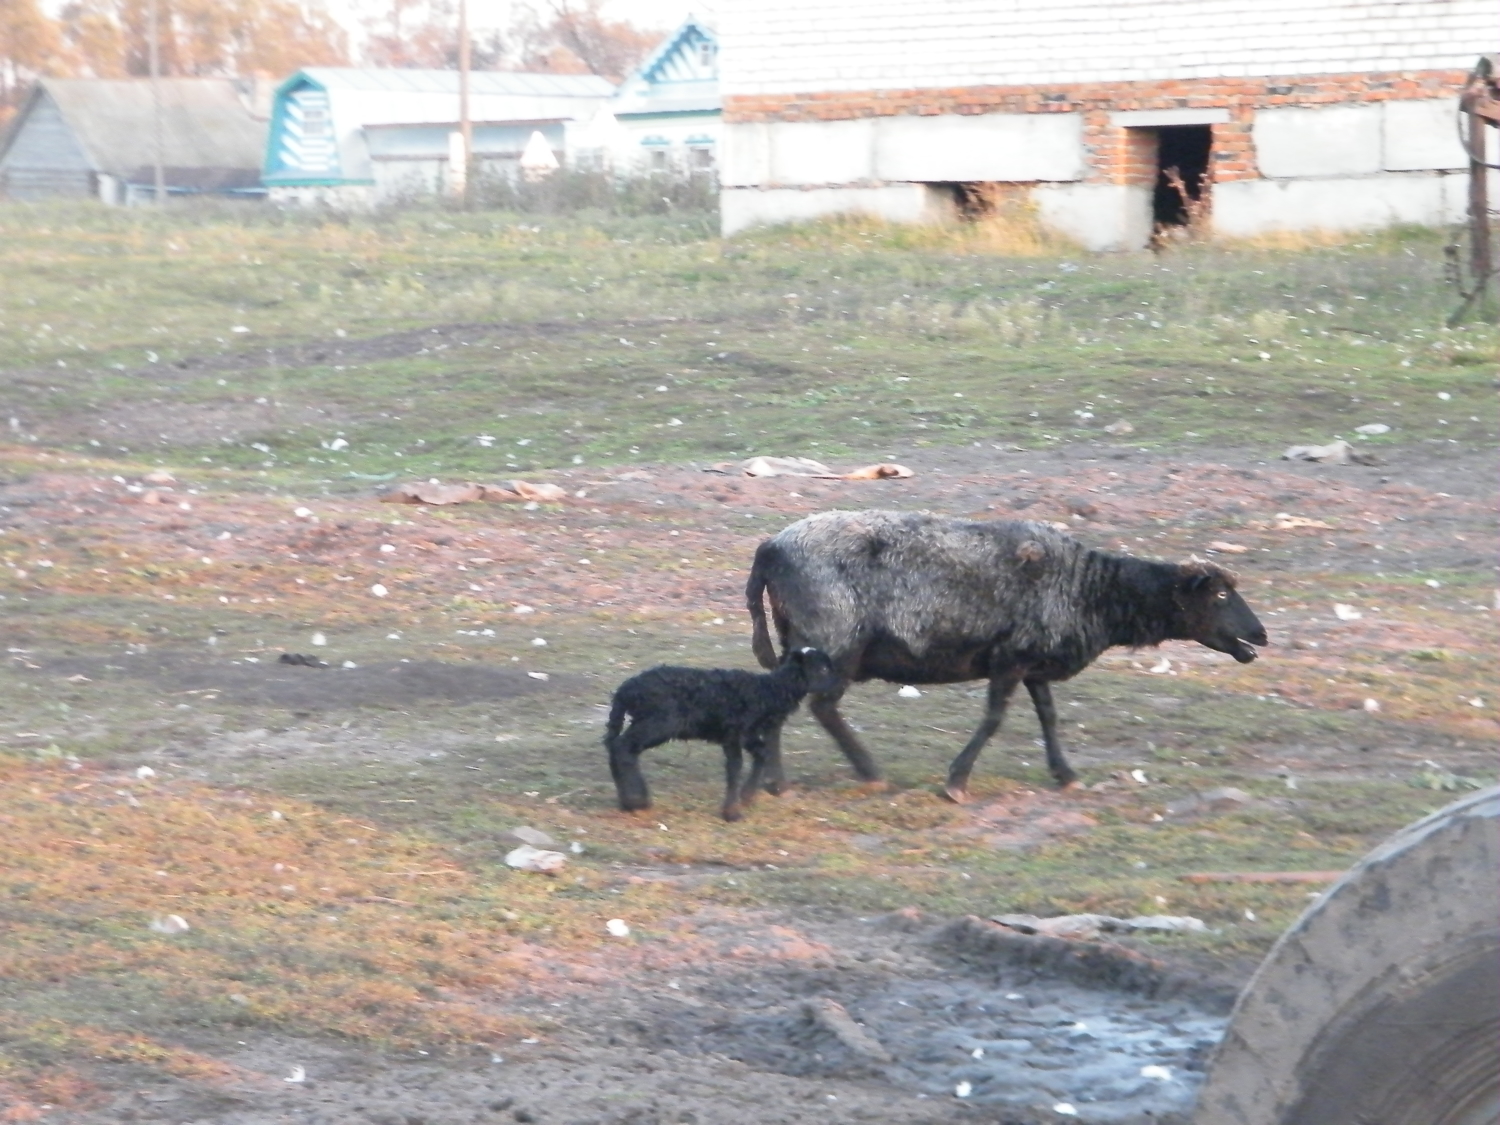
(1382, 1004)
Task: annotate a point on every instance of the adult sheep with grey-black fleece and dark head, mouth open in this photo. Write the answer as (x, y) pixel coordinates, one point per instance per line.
(922, 599)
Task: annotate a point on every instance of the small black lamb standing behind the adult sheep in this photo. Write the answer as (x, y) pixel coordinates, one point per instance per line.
(743, 712)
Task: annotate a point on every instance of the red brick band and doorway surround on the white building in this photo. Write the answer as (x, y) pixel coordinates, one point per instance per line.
(1117, 155)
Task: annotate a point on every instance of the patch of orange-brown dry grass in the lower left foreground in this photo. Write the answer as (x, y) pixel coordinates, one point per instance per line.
(301, 920)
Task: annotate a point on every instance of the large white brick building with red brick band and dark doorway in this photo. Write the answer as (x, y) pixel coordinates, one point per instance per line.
(1276, 115)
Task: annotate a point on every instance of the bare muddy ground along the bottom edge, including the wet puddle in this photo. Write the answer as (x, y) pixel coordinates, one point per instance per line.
(889, 1019)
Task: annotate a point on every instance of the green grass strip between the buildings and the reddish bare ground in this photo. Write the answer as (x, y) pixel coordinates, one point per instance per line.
(470, 346)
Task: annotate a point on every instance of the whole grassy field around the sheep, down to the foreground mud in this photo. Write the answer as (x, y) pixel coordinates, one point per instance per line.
(184, 502)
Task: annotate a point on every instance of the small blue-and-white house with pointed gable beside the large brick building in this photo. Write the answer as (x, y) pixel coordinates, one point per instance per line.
(665, 116)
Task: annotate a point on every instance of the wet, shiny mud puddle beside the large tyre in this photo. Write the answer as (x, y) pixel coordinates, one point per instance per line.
(1118, 1036)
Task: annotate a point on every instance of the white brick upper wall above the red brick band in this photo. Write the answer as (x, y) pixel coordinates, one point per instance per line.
(793, 47)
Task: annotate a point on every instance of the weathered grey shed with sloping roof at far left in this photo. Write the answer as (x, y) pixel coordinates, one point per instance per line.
(94, 137)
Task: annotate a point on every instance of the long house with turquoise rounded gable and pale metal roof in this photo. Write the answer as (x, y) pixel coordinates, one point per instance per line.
(359, 137)
